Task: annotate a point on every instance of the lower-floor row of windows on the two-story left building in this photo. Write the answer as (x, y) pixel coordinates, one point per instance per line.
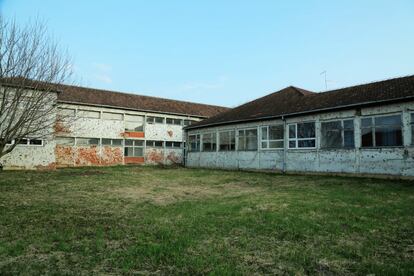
(70, 141)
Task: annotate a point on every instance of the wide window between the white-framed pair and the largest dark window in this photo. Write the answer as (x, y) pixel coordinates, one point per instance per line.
(337, 134)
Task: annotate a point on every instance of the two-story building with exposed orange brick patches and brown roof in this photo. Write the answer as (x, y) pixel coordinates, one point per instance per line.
(97, 128)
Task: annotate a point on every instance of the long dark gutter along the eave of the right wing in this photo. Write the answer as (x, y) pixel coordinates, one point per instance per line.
(301, 113)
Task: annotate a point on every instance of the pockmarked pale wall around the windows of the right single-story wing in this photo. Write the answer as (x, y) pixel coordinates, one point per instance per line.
(389, 161)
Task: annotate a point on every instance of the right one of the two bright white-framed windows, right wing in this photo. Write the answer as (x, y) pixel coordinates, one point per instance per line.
(302, 135)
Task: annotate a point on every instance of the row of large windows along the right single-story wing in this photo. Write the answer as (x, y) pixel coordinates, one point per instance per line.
(377, 131)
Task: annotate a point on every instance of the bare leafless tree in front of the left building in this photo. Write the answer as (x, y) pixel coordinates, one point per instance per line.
(32, 66)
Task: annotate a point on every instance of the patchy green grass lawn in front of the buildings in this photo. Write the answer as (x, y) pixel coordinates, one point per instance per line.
(191, 221)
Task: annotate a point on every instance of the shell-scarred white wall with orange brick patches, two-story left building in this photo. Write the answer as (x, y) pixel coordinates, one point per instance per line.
(52, 154)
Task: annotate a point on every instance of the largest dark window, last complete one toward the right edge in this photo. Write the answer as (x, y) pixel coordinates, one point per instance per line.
(382, 131)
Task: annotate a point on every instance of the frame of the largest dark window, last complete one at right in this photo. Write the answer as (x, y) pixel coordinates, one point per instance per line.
(374, 126)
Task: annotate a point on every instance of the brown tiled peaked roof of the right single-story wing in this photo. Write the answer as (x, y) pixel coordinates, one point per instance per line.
(292, 101)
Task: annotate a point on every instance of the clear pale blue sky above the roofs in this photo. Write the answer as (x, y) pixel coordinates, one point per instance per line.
(227, 52)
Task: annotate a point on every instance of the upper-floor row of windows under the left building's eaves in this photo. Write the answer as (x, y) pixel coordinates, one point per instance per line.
(134, 122)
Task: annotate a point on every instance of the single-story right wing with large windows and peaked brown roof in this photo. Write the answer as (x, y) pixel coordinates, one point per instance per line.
(363, 129)
